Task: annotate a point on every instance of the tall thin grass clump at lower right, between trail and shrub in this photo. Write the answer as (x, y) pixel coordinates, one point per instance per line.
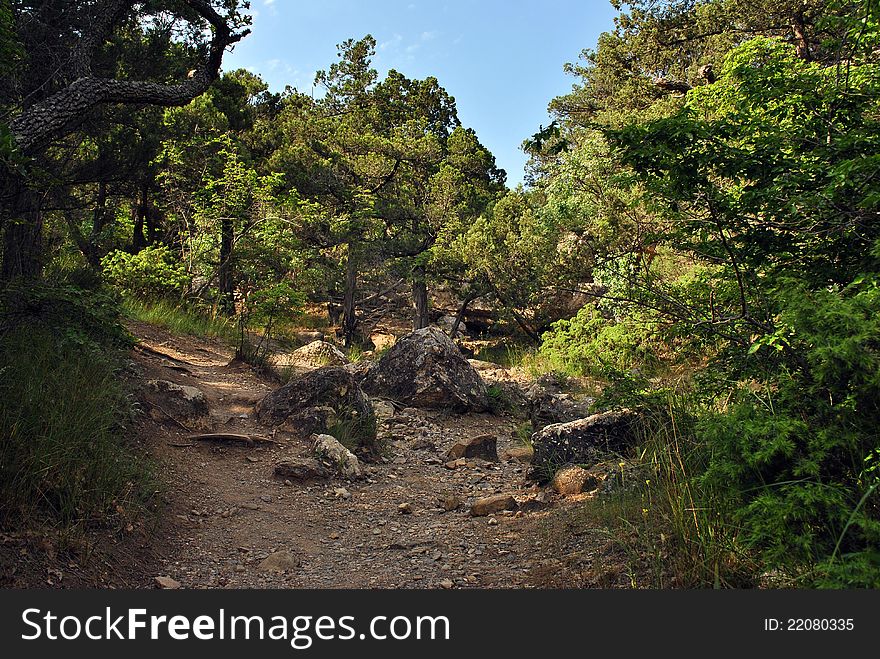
(673, 530)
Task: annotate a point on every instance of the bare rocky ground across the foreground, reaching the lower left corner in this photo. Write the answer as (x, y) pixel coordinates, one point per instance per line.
(228, 520)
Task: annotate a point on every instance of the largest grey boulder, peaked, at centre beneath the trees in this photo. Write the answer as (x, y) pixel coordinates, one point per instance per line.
(425, 369)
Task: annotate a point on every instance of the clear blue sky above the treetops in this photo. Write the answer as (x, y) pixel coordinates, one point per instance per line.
(501, 60)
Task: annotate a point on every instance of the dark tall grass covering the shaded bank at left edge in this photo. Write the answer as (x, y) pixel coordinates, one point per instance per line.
(63, 453)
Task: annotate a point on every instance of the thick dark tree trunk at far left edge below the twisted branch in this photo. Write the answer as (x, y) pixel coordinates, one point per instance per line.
(23, 238)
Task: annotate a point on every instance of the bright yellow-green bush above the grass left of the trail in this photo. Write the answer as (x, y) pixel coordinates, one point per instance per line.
(152, 274)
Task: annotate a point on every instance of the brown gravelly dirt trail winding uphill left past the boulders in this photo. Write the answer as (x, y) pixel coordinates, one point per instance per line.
(228, 512)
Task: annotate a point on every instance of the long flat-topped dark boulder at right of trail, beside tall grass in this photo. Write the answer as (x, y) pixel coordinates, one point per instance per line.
(583, 442)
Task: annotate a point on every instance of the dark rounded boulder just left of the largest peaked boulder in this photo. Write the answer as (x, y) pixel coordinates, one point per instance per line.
(324, 400)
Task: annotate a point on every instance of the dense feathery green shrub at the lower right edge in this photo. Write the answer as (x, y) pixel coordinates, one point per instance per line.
(797, 459)
